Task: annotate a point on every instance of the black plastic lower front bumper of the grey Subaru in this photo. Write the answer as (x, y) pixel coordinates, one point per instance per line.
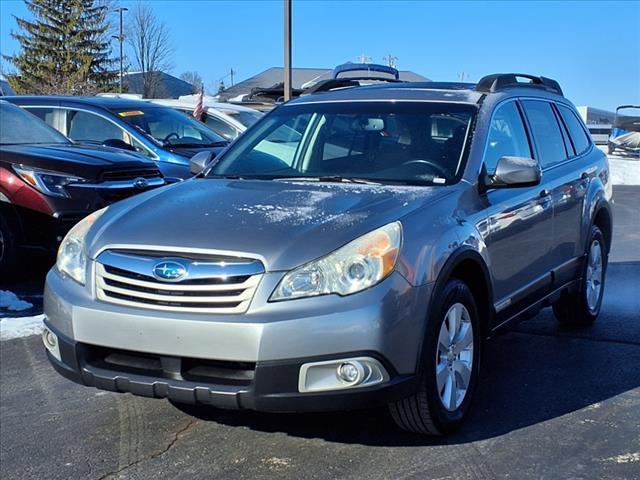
(272, 388)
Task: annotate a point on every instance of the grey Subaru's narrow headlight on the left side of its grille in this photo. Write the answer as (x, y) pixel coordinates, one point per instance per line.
(72, 258)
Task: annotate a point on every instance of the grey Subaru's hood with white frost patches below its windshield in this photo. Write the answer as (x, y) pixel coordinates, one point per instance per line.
(283, 223)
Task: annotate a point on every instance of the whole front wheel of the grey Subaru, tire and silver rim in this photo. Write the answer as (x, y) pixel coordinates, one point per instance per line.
(450, 366)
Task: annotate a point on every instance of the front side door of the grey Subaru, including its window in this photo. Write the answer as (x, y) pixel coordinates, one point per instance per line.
(520, 220)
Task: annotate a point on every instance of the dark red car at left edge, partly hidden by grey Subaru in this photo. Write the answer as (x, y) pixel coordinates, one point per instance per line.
(47, 184)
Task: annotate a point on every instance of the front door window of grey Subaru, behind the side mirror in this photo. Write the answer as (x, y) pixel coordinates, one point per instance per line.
(507, 136)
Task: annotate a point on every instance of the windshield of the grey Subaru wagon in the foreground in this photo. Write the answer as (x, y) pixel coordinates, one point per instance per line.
(404, 143)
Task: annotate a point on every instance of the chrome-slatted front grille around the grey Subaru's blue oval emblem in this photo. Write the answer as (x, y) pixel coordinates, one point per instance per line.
(217, 286)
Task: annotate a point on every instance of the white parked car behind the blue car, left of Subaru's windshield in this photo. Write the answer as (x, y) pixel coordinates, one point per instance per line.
(227, 120)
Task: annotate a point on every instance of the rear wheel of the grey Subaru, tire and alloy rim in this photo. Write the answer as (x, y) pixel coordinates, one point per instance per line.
(582, 307)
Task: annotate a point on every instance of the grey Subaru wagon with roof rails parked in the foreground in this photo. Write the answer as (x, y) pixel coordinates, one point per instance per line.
(365, 266)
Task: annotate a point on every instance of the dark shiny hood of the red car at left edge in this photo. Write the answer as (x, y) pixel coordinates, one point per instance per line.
(80, 160)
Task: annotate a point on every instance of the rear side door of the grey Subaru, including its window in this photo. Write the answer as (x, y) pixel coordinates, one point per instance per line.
(563, 180)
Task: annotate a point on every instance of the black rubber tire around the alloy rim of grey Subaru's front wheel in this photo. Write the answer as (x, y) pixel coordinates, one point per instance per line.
(424, 412)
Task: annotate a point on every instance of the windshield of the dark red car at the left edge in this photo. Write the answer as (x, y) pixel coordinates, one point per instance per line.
(19, 127)
